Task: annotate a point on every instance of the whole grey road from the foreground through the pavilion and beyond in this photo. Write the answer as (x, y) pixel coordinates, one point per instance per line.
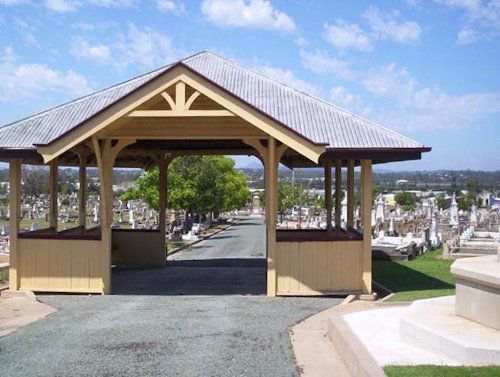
(189, 319)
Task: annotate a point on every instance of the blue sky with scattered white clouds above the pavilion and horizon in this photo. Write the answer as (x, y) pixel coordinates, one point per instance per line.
(426, 68)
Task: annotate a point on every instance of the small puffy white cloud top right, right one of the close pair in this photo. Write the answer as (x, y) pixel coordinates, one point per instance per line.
(387, 26)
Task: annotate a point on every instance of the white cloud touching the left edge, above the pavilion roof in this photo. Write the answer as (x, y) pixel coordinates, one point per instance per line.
(34, 80)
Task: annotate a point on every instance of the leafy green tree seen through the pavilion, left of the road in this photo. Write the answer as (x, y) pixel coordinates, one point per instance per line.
(196, 184)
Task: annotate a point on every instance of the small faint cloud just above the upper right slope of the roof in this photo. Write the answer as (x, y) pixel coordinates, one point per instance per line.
(321, 63)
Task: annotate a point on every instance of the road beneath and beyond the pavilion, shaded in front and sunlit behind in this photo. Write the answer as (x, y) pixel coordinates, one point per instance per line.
(231, 262)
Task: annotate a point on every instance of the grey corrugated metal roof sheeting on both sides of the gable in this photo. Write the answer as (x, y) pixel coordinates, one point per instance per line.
(316, 120)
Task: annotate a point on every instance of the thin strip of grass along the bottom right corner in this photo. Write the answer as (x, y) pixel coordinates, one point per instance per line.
(441, 371)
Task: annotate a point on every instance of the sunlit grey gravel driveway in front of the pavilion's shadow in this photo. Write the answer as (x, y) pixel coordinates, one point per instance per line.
(159, 336)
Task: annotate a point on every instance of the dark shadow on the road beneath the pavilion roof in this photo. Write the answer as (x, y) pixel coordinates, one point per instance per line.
(225, 276)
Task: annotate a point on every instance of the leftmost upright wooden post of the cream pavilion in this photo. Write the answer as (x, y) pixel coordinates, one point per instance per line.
(14, 219)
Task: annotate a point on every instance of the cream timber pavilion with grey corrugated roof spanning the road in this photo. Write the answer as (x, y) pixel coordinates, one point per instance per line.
(203, 104)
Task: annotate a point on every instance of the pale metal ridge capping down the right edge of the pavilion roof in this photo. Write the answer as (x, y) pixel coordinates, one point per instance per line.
(313, 97)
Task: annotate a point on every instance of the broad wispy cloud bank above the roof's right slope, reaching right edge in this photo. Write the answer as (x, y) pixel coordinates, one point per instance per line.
(402, 102)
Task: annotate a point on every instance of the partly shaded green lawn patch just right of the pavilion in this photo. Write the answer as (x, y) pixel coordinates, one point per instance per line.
(426, 276)
